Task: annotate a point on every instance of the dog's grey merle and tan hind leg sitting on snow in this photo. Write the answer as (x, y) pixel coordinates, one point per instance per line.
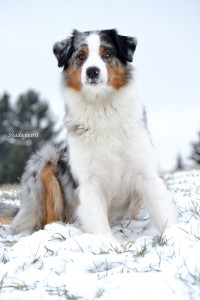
(42, 199)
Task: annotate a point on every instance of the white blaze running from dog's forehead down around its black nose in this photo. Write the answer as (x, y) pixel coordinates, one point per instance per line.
(94, 60)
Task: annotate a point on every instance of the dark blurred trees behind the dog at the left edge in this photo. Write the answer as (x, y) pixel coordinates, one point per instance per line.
(24, 128)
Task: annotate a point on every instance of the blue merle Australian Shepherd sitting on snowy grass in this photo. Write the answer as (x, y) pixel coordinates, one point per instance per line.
(108, 169)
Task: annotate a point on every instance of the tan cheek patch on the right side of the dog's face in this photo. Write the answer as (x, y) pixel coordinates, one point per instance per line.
(116, 76)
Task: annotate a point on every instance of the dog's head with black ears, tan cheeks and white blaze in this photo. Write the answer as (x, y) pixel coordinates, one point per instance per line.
(95, 59)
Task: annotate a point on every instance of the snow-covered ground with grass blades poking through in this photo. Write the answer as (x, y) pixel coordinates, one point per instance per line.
(62, 262)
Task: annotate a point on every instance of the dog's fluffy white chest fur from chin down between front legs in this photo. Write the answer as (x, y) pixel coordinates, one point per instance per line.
(102, 140)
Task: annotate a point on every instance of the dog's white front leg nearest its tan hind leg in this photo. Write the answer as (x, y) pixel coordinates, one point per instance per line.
(92, 211)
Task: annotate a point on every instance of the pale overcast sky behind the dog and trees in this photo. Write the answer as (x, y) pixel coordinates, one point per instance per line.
(167, 58)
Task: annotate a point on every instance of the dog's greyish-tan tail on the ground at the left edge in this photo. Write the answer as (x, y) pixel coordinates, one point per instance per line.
(7, 212)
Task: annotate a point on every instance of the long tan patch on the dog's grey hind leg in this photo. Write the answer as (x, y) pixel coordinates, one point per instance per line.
(53, 198)
